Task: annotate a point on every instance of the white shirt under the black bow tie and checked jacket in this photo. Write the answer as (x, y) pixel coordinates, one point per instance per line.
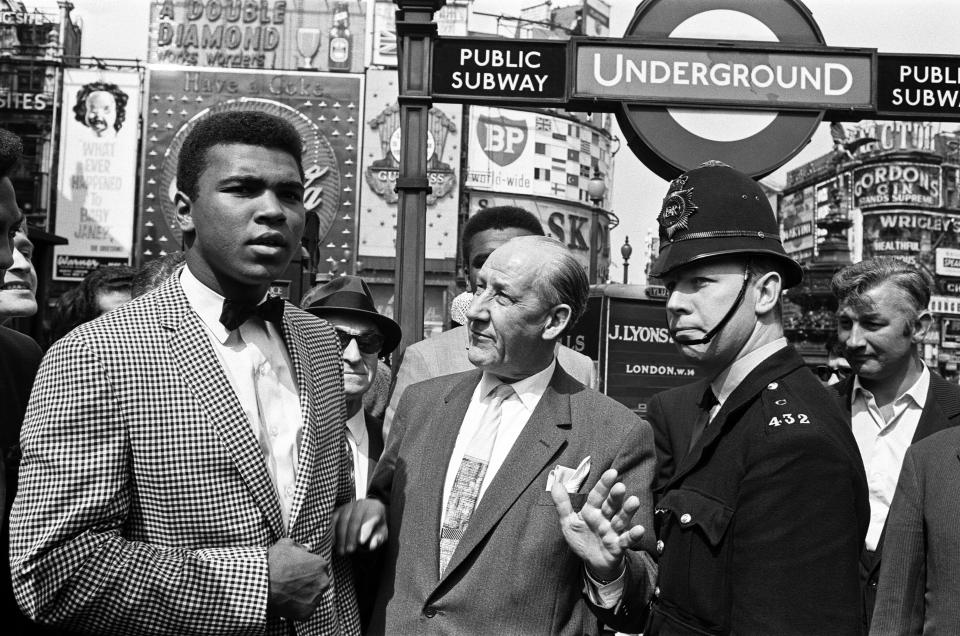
(256, 362)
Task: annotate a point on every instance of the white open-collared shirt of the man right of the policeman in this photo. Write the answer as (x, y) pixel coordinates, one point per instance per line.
(883, 444)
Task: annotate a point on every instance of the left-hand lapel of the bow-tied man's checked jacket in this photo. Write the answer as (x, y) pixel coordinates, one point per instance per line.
(205, 378)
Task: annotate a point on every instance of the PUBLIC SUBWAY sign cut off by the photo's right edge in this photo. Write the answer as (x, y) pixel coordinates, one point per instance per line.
(918, 85)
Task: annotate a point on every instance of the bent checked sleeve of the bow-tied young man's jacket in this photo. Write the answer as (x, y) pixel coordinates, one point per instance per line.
(71, 564)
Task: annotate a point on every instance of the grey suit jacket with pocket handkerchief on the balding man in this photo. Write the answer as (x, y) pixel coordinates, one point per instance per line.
(512, 573)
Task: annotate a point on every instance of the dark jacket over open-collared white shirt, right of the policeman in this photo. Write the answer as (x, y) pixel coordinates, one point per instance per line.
(942, 410)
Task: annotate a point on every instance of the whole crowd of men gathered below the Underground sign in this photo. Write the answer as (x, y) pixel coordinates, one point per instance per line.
(204, 458)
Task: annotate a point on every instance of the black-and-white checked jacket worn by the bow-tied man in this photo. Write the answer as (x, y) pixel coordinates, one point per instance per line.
(145, 505)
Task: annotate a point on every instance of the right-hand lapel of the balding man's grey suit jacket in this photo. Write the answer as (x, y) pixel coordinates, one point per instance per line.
(538, 444)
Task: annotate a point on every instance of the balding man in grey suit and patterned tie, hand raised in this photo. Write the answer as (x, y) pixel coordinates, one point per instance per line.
(507, 491)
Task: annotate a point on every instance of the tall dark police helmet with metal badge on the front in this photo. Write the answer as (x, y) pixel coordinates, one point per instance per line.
(714, 210)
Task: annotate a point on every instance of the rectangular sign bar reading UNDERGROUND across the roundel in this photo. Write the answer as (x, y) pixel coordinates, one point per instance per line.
(755, 76)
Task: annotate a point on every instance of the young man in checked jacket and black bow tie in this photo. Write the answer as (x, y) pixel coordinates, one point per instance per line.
(182, 454)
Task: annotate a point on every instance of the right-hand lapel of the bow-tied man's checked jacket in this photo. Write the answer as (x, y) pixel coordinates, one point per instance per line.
(299, 355)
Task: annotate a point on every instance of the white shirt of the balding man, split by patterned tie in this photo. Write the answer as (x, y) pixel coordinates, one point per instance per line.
(516, 411)
